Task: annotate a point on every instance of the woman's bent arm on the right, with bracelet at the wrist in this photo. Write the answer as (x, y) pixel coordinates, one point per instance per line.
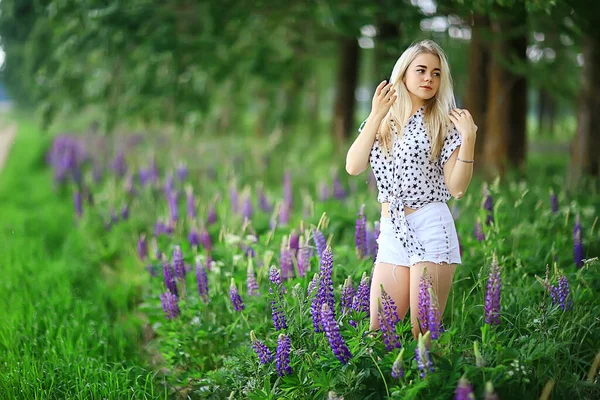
(457, 173)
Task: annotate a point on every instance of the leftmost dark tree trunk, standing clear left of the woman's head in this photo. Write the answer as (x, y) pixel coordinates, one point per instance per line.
(347, 77)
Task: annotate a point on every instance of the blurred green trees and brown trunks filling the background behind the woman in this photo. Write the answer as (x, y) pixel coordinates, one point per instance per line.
(231, 65)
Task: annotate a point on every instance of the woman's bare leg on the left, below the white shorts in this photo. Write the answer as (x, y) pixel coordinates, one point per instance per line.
(397, 288)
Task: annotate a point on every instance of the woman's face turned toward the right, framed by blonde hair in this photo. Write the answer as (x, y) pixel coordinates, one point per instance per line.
(422, 78)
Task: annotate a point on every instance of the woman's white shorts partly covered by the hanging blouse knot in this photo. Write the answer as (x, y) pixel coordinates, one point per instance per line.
(434, 226)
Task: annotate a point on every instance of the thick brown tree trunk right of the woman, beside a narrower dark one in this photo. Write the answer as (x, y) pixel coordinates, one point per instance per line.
(505, 137)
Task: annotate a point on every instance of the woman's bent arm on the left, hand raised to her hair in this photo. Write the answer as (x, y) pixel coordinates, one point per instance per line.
(357, 159)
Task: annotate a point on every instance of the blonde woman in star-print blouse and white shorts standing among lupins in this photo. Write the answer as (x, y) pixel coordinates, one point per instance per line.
(420, 147)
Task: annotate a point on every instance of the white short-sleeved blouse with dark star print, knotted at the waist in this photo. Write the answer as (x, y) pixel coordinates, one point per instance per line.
(408, 176)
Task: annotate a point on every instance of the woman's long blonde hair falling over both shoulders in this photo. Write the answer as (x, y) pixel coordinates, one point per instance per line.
(436, 109)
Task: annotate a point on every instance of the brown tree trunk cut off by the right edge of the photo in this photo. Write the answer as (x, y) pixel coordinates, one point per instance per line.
(585, 149)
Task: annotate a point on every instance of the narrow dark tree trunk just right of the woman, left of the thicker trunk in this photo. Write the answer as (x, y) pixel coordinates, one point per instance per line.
(478, 84)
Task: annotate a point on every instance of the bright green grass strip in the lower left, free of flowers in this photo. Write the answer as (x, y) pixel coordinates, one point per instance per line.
(66, 332)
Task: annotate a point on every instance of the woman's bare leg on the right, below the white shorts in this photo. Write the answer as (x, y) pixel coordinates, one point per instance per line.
(441, 276)
